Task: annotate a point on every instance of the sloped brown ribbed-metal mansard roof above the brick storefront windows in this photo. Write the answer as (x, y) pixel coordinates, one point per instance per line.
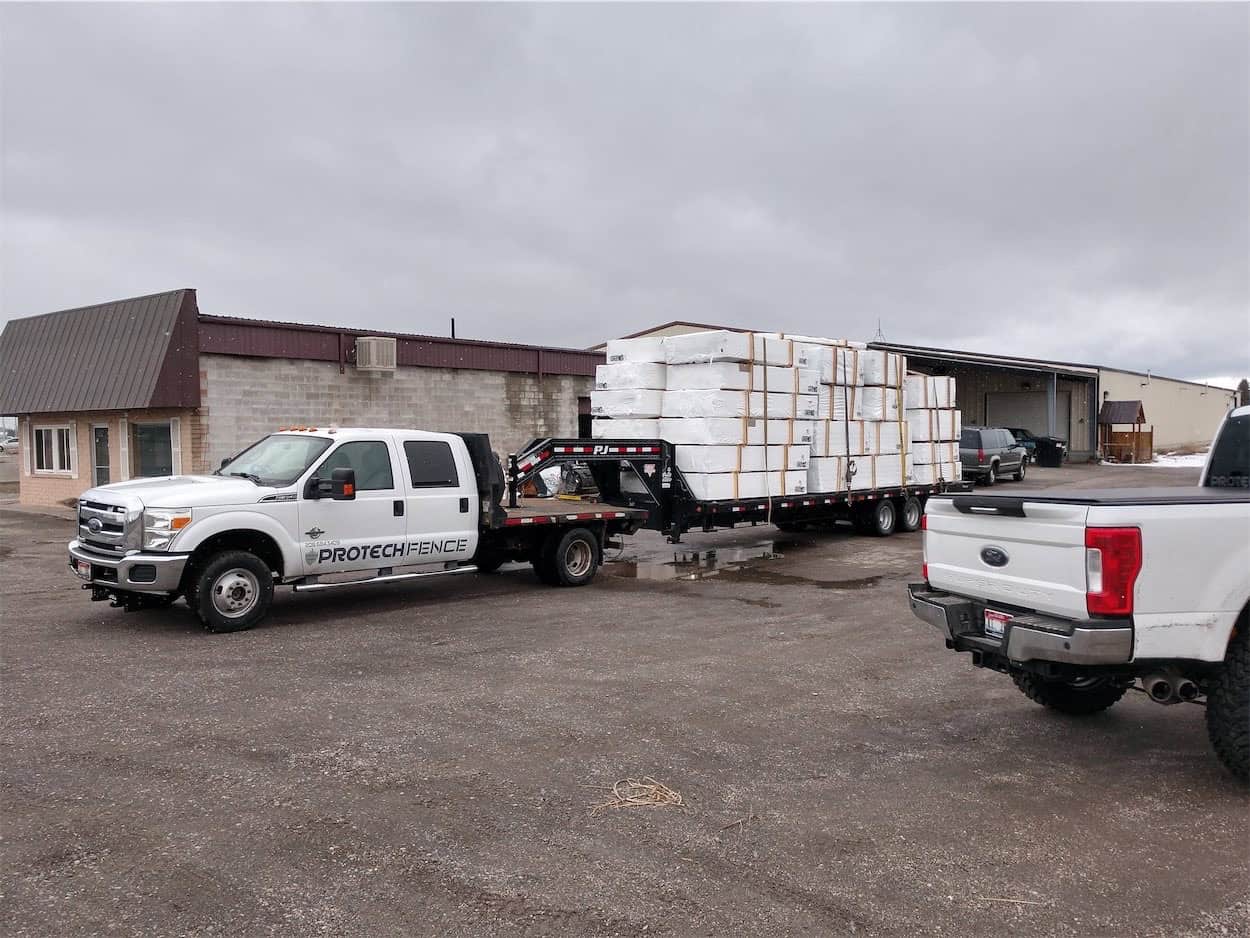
(121, 356)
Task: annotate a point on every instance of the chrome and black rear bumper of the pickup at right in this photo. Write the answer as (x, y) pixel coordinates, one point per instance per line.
(1027, 638)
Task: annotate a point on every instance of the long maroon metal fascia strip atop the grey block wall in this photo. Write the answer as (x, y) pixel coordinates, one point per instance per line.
(258, 338)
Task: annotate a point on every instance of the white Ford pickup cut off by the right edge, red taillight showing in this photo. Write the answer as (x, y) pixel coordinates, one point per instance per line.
(1079, 595)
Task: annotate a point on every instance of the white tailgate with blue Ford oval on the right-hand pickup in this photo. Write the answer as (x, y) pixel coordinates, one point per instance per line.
(1009, 551)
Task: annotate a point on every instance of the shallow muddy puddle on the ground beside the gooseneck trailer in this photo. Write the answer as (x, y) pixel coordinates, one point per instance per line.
(738, 565)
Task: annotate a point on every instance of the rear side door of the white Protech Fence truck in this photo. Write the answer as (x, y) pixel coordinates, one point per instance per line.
(443, 510)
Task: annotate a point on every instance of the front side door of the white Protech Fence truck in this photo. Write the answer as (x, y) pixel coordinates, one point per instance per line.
(366, 533)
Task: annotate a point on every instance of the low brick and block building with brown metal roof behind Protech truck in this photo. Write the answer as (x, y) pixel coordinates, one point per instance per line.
(151, 386)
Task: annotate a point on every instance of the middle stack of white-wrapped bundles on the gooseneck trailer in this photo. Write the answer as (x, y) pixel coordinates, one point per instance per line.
(862, 442)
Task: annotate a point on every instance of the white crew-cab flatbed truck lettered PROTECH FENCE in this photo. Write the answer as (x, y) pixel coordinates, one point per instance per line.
(322, 508)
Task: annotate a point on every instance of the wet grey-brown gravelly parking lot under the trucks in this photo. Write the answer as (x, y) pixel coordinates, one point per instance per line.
(426, 760)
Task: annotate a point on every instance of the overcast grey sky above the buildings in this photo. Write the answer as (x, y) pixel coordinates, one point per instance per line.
(1059, 181)
